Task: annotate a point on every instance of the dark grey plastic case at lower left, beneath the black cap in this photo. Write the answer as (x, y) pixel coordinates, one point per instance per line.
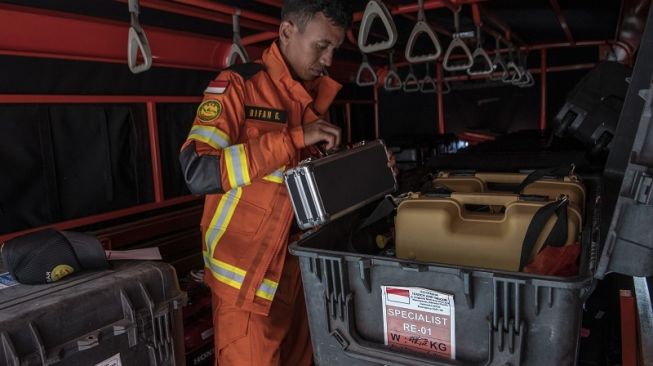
(132, 312)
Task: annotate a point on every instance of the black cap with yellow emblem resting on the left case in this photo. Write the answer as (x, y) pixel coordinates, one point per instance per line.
(48, 255)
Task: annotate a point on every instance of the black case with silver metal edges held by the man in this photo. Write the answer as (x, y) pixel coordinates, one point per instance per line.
(326, 188)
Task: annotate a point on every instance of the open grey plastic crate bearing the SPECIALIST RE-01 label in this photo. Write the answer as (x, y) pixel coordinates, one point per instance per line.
(502, 318)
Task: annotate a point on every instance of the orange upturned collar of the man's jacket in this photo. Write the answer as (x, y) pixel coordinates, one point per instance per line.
(321, 91)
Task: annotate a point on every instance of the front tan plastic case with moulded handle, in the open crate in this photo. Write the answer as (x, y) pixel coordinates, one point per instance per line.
(443, 230)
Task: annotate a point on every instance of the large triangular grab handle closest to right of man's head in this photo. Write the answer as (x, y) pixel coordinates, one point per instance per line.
(375, 9)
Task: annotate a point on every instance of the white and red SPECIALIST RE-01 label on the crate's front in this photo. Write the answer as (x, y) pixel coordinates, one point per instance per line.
(419, 320)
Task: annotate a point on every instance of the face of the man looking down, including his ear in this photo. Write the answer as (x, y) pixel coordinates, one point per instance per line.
(310, 51)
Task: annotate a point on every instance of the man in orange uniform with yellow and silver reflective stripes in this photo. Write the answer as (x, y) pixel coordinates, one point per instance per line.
(253, 123)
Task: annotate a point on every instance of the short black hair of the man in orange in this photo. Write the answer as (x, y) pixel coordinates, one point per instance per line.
(301, 11)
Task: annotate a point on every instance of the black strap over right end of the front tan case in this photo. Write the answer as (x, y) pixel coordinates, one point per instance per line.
(558, 235)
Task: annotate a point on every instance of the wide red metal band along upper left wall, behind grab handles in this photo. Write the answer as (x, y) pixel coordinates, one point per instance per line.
(40, 33)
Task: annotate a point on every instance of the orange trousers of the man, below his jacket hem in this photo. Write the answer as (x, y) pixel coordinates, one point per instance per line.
(280, 339)
